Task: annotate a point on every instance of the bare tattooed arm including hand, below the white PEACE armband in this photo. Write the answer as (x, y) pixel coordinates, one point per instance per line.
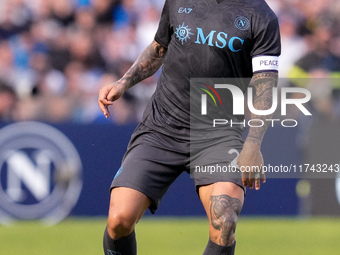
(250, 155)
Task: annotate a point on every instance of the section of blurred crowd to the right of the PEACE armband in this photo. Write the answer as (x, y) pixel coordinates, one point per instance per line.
(310, 37)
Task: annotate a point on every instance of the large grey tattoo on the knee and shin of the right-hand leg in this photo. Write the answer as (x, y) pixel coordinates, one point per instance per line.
(224, 211)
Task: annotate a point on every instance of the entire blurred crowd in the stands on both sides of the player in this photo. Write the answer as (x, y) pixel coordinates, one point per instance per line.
(56, 54)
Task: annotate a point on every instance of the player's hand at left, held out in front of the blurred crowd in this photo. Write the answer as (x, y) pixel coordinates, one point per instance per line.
(108, 94)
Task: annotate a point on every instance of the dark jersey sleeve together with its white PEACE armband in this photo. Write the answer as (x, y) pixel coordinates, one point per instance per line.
(267, 48)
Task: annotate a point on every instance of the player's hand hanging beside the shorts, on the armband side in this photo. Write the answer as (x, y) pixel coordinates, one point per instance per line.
(250, 162)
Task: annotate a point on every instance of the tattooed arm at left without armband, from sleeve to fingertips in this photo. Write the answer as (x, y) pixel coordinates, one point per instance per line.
(146, 65)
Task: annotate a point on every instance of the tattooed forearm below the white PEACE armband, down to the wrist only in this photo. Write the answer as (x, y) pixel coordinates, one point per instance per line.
(263, 84)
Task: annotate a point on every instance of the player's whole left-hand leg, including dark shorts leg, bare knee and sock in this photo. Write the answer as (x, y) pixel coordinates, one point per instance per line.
(153, 161)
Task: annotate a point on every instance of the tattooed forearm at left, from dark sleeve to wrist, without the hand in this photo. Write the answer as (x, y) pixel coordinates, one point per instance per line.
(146, 65)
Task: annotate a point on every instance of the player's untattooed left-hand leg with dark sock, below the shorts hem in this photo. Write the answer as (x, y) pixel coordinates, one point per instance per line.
(127, 206)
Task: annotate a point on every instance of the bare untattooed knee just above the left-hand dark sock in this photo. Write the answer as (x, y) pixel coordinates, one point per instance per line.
(120, 224)
